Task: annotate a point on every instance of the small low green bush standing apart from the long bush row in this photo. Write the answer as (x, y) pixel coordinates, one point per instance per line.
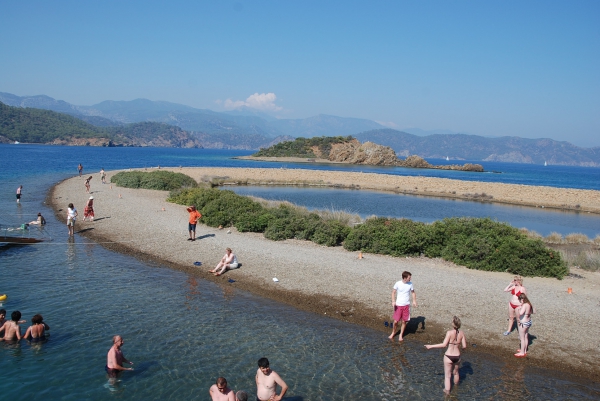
(160, 180)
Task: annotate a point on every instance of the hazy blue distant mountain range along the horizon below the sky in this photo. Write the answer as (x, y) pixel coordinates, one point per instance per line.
(247, 129)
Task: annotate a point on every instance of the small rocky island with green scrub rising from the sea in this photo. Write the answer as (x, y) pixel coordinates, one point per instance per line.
(346, 150)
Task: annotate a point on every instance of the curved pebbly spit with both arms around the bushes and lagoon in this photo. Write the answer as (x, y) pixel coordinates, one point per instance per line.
(337, 283)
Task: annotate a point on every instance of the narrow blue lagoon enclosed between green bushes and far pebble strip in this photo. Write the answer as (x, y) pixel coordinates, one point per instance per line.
(428, 209)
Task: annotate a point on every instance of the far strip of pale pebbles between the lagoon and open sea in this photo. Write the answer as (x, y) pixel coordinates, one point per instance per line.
(565, 199)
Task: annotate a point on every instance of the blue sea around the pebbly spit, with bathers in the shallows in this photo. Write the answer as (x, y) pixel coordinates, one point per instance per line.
(183, 332)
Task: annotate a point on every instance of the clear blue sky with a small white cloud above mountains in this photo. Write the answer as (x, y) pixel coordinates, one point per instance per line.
(492, 68)
